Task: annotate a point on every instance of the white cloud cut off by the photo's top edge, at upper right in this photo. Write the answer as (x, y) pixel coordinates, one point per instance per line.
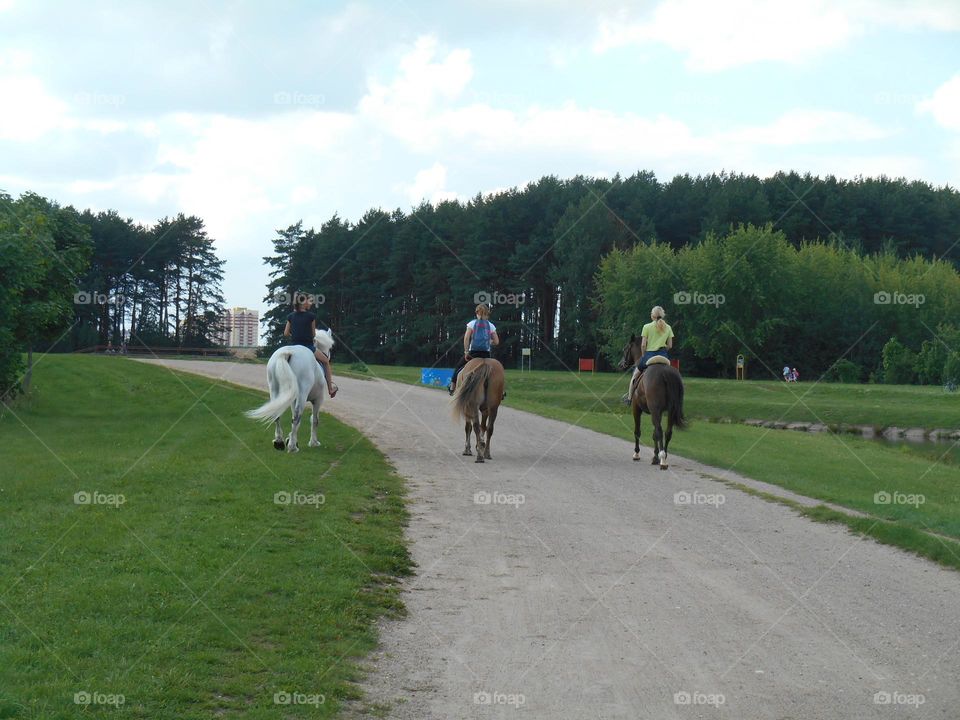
(720, 35)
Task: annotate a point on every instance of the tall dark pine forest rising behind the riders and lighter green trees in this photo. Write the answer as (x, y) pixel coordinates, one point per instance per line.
(398, 287)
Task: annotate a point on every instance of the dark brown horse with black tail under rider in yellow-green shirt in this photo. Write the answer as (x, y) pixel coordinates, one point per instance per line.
(659, 390)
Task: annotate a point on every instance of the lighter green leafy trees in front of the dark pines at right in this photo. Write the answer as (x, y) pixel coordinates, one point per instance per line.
(823, 307)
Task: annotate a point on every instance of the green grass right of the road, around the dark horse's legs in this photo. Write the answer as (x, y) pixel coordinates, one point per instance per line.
(841, 469)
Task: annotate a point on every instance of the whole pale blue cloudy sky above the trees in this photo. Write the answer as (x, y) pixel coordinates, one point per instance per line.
(254, 115)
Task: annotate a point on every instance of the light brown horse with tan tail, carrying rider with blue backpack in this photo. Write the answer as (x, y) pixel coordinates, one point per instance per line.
(479, 392)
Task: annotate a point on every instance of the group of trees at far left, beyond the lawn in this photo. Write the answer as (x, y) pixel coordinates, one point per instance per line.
(71, 279)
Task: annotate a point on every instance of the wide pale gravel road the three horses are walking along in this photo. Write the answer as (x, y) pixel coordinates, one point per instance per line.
(562, 580)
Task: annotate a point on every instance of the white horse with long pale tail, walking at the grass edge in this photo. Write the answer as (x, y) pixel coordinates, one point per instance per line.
(295, 377)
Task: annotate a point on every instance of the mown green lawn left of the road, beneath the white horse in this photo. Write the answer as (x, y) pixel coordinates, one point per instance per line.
(199, 595)
